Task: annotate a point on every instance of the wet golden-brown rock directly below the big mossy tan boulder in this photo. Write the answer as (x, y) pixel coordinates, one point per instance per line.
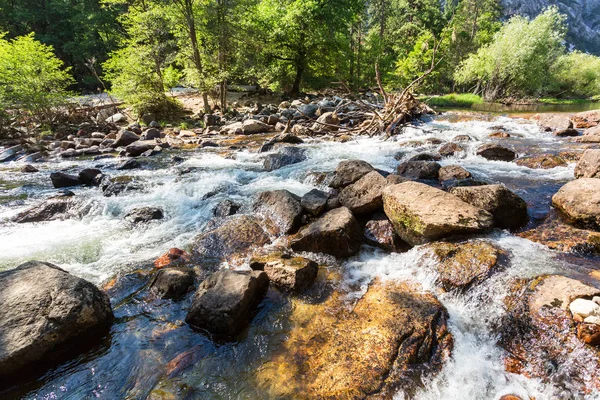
(459, 266)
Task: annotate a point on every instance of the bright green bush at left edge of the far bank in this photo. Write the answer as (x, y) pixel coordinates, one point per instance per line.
(32, 78)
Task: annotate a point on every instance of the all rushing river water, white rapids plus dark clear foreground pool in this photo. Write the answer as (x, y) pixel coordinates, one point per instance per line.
(148, 333)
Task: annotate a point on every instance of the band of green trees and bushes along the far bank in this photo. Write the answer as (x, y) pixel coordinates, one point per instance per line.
(140, 49)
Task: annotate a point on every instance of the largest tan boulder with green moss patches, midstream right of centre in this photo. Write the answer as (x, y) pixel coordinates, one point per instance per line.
(421, 213)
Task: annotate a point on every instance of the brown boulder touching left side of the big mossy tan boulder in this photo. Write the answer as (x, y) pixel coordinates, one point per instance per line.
(364, 195)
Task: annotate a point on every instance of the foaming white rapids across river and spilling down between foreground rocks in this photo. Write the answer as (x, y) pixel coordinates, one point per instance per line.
(100, 244)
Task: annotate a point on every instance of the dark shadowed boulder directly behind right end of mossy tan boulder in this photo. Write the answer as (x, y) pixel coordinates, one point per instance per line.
(508, 209)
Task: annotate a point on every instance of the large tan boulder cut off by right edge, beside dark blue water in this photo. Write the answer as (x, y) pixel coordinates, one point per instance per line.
(580, 201)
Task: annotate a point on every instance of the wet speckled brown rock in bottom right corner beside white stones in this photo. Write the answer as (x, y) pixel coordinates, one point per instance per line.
(540, 335)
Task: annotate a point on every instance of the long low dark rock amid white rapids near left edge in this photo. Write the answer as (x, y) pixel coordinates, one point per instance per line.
(54, 208)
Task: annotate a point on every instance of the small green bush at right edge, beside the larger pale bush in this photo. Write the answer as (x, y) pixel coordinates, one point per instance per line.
(577, 74)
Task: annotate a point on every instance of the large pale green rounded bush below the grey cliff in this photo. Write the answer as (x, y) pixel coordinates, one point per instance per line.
(517, 62)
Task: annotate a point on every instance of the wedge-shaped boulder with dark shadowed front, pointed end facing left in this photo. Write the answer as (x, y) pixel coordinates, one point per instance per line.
(336, 233)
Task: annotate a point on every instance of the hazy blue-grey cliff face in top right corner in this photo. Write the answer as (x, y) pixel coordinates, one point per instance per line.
(583, 19)
